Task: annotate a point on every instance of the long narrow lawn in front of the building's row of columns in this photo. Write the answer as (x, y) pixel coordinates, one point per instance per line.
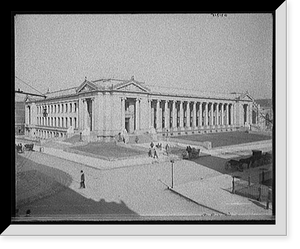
(225, 138)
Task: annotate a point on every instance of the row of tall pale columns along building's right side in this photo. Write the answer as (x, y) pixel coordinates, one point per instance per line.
(179, 115)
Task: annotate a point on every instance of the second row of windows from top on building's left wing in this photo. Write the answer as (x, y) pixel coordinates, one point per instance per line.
(57, 122)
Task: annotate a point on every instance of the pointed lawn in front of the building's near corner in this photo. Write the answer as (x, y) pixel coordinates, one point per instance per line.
(108, 150)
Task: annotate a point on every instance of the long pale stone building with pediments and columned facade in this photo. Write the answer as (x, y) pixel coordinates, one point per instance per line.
(101, 109)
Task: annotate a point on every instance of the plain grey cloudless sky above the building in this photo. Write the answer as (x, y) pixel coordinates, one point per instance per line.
(225, 54)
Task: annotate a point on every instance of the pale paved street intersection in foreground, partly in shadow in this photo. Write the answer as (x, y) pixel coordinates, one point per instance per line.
(120, 192)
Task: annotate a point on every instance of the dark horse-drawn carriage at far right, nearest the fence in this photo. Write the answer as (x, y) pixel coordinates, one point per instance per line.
(255, 160)
